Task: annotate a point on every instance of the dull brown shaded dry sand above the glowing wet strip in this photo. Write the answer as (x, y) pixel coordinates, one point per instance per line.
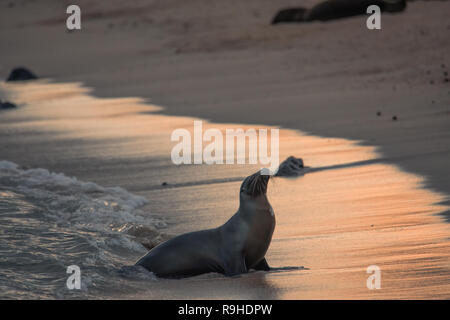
(286, 68)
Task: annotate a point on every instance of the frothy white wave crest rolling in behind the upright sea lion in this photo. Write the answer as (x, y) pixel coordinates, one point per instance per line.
(87, 206)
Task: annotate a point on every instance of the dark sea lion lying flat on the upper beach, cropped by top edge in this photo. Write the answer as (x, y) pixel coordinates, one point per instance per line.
(336, 9)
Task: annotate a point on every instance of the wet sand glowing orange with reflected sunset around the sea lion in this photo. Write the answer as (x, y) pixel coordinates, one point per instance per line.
(355, 212)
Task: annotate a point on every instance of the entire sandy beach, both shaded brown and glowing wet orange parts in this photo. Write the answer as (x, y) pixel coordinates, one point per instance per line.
(114, 91)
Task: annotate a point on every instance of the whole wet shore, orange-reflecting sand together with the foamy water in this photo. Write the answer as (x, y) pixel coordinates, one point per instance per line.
(82, 183)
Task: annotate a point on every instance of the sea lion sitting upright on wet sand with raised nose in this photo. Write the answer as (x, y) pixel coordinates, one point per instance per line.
(231, 249)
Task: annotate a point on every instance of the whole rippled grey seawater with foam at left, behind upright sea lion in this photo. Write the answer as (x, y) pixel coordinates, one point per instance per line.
(50, 221)
